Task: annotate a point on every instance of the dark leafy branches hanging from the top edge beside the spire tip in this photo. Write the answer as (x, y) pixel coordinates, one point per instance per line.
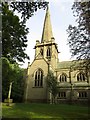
(27, 9)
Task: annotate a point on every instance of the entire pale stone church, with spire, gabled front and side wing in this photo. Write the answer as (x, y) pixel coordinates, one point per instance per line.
(72, 78)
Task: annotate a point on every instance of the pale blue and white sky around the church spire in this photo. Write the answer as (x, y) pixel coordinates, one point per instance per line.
(61, 17)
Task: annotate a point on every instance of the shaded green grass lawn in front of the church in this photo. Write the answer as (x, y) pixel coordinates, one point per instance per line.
(48, 111)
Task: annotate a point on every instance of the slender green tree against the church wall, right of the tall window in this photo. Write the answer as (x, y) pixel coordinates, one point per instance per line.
(52, 86)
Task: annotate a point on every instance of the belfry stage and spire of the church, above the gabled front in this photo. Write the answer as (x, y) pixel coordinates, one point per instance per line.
(47, 48)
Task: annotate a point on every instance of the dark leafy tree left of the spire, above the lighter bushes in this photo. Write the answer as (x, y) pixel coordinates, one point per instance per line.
(14, 39)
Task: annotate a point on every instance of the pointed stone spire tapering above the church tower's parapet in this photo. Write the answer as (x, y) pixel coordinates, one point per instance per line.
(47, 28)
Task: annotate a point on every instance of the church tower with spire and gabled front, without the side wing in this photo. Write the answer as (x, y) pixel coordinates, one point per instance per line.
(46, 57)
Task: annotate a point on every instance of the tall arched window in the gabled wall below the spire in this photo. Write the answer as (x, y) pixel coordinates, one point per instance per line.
(39, 78)
